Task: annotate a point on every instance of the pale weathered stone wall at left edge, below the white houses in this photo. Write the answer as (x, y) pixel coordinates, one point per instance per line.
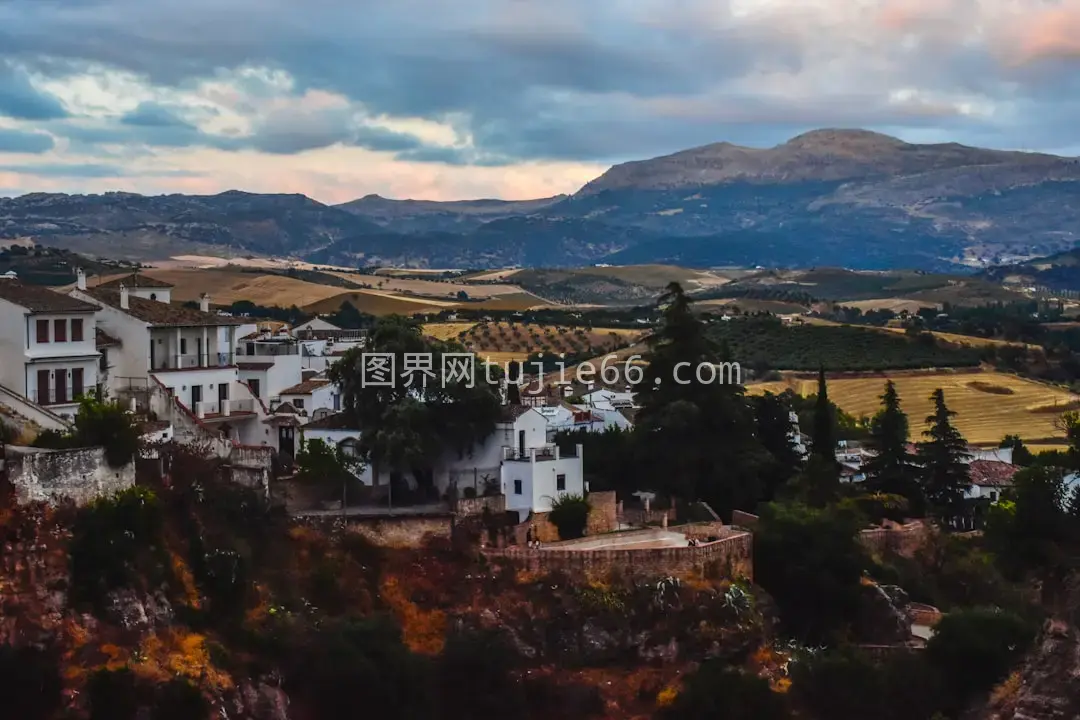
(80, 476)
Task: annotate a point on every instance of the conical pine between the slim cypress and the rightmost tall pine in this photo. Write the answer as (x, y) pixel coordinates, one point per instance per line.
(892, 469)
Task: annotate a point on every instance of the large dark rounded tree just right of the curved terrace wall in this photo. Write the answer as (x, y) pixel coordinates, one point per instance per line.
(812, 563)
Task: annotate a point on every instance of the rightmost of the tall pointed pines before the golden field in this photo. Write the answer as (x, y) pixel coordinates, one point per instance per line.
(943, 473)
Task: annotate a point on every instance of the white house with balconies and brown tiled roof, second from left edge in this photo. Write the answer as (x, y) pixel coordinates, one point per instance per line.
(186, 355)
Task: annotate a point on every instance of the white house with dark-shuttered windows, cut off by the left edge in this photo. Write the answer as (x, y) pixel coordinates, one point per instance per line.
(48, 346)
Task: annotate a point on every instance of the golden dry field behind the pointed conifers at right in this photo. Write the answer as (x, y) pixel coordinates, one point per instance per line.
(984, 418)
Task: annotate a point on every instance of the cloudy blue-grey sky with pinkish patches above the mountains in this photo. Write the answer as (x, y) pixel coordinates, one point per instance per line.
(502, 99)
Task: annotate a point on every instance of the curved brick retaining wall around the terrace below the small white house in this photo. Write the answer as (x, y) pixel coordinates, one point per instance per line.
(731, 558)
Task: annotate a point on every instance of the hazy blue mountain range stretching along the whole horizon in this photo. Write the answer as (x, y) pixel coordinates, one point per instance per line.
(846, 198)
